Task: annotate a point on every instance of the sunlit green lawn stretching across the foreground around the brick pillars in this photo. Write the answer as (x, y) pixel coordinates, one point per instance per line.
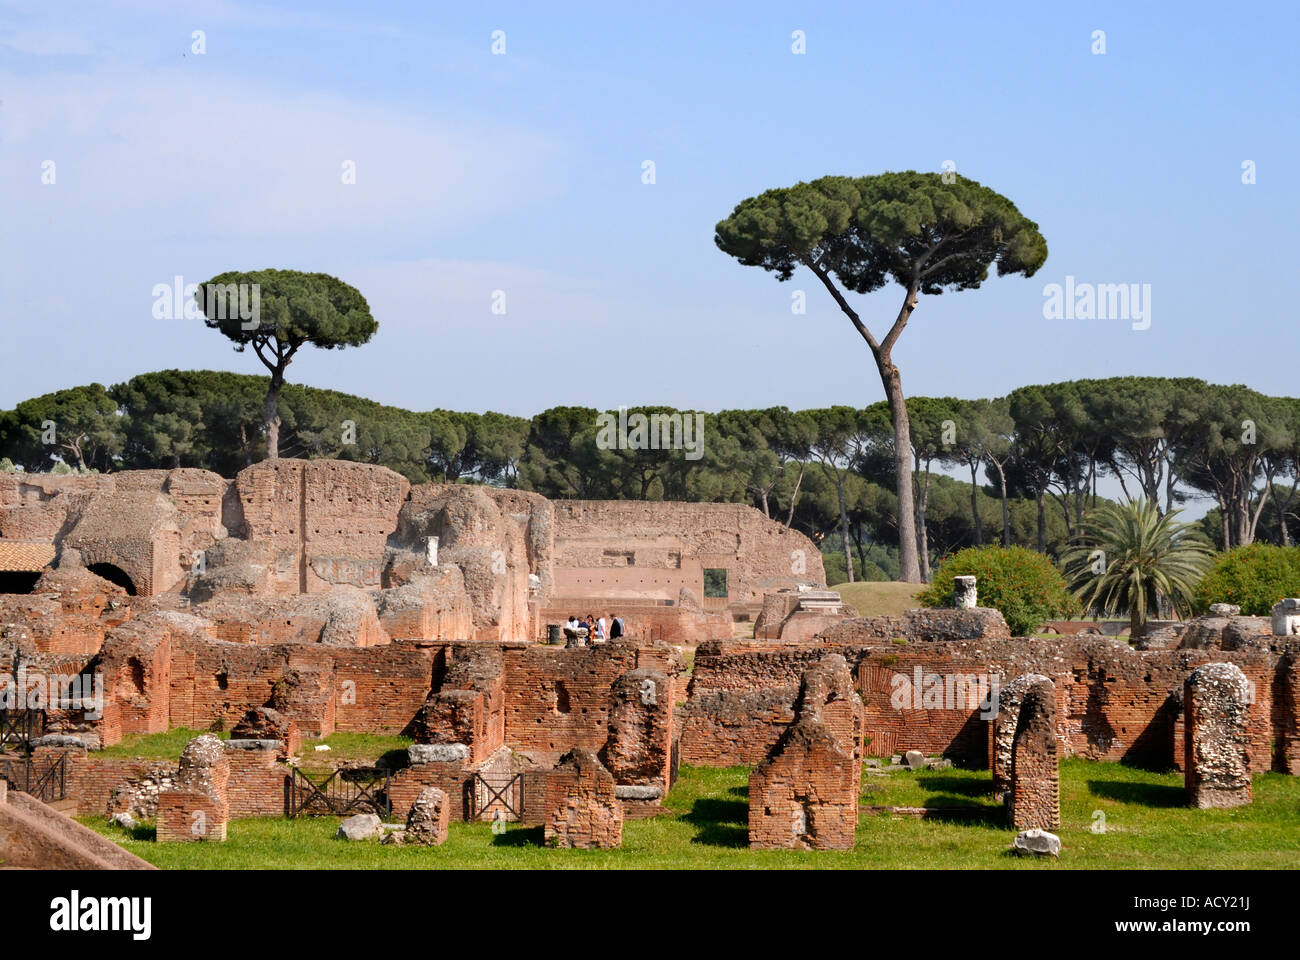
(1147, 828)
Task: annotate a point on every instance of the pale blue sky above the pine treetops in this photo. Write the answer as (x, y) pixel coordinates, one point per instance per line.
(523, 172)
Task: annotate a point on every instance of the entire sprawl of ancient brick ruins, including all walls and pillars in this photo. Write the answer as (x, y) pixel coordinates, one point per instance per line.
(311, 598)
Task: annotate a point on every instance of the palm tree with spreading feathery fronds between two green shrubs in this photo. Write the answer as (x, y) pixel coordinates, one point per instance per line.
(1132, 557)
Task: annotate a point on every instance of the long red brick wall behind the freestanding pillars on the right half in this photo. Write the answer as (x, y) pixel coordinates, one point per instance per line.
(1115, 703)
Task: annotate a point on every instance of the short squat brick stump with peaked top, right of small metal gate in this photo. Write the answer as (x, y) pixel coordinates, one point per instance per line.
(582, 807)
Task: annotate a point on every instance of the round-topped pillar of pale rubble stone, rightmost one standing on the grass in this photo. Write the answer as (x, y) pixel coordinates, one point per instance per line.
(1217, 766)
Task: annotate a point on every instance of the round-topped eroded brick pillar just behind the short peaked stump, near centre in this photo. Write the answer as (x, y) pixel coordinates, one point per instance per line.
(639, 751)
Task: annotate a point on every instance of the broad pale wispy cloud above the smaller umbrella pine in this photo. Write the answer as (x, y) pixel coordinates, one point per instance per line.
(177, 153)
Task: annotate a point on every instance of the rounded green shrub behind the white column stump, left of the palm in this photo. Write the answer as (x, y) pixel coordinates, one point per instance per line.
(1024, 586)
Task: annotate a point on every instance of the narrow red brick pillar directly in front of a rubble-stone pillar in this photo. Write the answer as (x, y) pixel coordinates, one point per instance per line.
(1035, 792)
